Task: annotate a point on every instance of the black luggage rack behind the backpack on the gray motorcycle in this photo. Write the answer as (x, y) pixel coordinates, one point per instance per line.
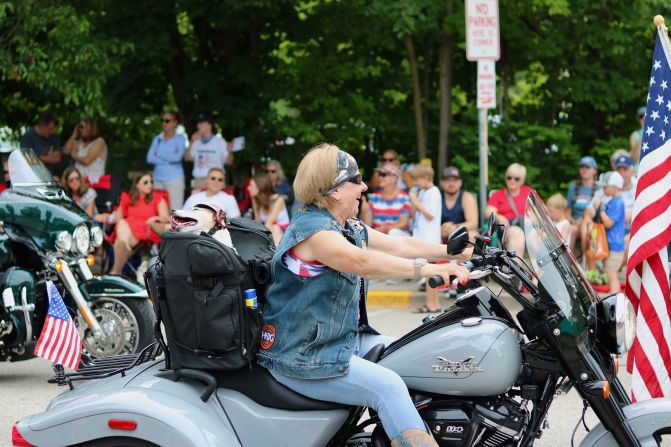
(90, 368)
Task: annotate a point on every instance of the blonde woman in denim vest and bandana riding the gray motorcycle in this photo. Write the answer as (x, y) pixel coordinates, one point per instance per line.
(316, 326)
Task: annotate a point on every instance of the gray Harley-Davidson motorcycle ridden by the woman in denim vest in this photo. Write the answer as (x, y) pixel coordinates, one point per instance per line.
(478, 376)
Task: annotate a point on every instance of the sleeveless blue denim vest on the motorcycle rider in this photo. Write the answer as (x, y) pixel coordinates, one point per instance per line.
(312, 322)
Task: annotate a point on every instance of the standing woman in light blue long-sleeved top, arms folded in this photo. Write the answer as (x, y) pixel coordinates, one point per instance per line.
(166, 153)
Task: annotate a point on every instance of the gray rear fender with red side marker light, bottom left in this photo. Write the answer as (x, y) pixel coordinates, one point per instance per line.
(162, 418)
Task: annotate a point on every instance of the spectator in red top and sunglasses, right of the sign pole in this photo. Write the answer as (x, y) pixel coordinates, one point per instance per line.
(509, 204)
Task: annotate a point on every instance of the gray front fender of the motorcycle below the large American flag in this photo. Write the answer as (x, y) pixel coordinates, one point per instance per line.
(645, 418)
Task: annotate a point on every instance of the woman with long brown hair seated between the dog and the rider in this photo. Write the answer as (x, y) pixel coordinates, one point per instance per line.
(269, 207)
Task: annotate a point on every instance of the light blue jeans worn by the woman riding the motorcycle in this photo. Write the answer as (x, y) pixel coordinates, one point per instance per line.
(366, 384)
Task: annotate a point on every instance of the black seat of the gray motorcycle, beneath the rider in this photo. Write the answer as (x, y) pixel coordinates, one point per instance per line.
(260, 386)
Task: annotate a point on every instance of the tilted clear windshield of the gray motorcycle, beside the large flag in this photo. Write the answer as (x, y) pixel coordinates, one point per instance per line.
(557, 268)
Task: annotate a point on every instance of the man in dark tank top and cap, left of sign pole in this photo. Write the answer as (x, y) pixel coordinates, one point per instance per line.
(460, 209)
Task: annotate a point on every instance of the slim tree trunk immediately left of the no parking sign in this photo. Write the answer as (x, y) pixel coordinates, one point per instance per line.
(445, 62)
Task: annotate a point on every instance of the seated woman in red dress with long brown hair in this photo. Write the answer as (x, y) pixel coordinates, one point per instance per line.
(142, 215)
